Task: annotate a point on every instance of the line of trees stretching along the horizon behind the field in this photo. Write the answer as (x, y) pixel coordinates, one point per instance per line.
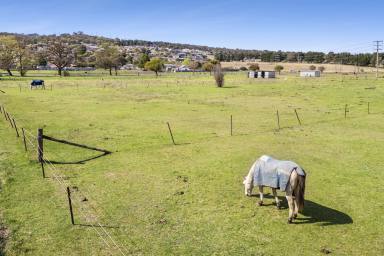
(22, 52)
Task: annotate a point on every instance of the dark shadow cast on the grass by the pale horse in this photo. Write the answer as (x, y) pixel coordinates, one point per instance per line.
(316, 213)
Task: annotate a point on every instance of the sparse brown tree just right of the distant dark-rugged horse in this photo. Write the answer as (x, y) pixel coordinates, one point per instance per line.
(60, 54)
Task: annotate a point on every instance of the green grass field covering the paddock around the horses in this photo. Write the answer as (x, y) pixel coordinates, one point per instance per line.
(154, 198)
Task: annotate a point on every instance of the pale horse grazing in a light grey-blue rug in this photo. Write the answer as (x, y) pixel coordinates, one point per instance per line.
(277, 174)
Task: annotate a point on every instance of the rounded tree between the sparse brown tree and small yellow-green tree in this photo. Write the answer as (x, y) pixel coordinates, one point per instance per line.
(107, 57)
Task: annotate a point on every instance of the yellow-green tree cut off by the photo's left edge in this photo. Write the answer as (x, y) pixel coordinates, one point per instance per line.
(8, 46)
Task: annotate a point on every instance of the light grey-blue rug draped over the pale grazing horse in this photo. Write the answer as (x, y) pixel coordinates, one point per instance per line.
(274, 173)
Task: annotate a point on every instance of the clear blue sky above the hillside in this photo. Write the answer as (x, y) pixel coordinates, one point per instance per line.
(297, 25)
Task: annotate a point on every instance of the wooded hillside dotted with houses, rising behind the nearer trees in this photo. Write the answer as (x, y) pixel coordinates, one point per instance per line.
(171, 50)
